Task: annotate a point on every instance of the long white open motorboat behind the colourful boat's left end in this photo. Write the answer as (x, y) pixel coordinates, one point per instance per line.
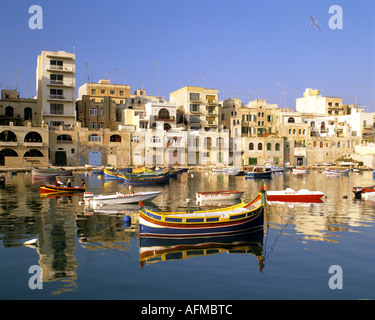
(119, 198)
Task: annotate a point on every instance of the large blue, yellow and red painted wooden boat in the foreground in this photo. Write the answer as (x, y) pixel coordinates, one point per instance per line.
(228, 220)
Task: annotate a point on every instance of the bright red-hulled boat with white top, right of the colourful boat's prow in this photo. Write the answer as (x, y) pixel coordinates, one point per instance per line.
(290, 195)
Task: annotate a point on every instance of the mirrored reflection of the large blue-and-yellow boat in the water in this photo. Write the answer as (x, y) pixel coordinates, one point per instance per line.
(164, 249)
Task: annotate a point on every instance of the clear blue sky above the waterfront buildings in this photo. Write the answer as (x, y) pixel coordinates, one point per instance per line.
(245, 48)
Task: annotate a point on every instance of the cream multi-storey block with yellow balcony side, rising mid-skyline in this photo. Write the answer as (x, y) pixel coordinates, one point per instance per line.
(197, 107)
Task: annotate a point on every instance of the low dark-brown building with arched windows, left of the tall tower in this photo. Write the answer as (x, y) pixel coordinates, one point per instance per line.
(19, 111)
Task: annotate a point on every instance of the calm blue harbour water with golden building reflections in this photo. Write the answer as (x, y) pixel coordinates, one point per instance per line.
(95, 255)
